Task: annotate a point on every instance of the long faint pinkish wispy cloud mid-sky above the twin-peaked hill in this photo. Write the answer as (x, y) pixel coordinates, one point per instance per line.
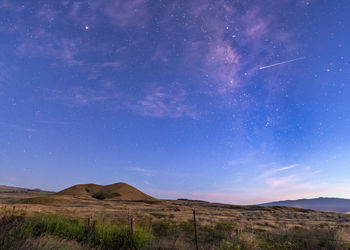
(156, 101)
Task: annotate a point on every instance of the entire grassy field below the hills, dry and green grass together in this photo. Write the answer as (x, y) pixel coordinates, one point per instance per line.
(49, 222)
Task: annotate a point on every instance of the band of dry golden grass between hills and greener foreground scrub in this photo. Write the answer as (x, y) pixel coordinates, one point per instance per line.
(266, 218)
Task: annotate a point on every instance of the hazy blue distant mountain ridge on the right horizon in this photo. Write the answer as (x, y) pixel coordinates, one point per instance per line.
(322, 204)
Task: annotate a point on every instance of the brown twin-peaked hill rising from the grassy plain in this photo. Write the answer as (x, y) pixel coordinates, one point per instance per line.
(117, 191)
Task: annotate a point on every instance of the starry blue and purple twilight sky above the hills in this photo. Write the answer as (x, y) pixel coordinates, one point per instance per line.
(231, 101)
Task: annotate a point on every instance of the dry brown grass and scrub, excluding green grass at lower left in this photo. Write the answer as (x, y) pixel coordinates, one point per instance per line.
(169, 222)
